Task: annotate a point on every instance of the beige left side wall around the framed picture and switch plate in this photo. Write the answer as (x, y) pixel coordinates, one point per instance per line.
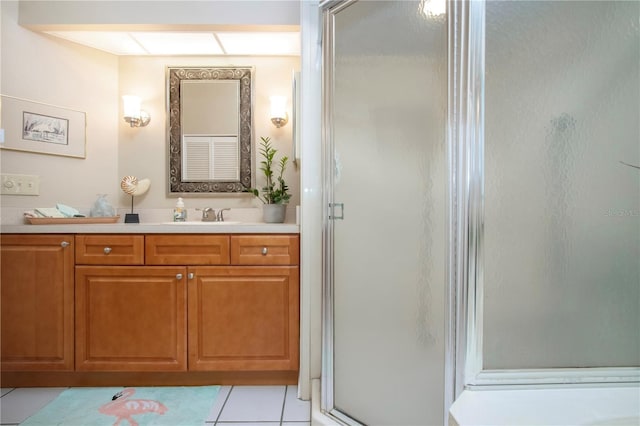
(46, 70)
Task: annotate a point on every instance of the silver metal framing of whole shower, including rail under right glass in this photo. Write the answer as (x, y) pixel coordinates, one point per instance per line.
(464, 286)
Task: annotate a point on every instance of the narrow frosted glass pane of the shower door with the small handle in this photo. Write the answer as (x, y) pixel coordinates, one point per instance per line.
(389, 120)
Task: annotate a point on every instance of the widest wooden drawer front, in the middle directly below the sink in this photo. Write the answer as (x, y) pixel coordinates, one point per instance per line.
(187, 249)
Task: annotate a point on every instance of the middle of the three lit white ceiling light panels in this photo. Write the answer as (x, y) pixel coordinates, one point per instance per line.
(170, 43)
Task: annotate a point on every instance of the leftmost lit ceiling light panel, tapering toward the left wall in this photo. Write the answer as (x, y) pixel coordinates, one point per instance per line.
(118, 43)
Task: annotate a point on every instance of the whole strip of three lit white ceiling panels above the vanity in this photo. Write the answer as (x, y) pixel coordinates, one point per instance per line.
(175, 43)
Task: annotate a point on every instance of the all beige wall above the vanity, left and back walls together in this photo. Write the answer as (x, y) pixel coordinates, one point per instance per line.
(53, 71)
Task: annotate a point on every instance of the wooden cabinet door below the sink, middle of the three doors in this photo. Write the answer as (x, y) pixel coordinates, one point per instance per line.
(131, 318)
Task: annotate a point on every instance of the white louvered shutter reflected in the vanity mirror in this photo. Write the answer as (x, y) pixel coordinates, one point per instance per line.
(210, 158)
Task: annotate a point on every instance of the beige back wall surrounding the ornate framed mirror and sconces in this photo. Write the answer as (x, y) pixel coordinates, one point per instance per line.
(143, 151)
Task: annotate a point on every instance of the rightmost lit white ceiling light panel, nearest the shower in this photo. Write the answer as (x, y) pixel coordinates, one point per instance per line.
(272, 43)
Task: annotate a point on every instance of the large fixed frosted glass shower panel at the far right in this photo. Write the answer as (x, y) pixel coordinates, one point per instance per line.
(562, 213)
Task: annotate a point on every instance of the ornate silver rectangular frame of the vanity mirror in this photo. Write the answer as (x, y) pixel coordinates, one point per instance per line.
(174, 130)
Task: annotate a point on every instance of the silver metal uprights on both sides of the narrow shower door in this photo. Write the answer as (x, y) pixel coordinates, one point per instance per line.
(455, 93)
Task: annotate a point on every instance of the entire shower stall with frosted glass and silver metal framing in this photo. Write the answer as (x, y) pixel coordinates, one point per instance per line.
(482, 201)
